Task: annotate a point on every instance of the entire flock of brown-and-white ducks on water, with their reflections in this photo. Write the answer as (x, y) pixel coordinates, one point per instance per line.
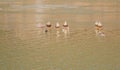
(65, 28)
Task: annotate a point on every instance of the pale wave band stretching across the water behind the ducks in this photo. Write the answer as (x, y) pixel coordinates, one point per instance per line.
(75, 8)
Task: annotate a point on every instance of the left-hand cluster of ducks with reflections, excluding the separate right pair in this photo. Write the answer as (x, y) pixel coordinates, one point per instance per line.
(47, 28)
